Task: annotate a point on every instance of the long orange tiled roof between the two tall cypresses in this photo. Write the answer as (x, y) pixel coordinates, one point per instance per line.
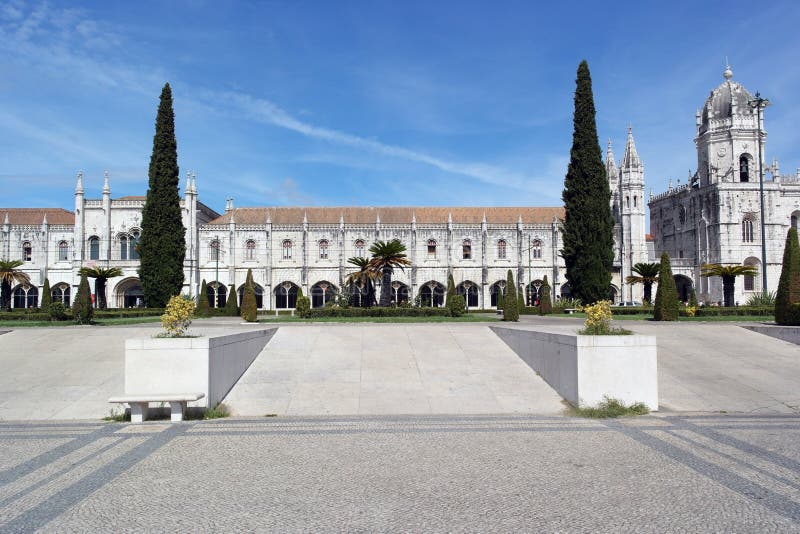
(390, 215)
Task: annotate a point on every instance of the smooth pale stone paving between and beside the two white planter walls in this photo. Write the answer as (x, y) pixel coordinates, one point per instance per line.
(370, 368)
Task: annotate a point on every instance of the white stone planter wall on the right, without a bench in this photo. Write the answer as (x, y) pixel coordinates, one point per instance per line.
(585, 369)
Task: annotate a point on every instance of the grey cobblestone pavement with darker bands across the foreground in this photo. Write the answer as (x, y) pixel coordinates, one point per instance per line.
(723, 473)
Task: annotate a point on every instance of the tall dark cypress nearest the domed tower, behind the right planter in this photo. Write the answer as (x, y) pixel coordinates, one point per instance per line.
(588, 227)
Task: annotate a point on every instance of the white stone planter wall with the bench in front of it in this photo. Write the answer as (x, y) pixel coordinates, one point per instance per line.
(211, 365)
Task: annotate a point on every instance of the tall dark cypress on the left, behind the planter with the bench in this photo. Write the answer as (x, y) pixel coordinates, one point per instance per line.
(162, 245)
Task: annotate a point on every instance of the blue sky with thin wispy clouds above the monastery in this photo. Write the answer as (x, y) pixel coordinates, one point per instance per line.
(372, 102)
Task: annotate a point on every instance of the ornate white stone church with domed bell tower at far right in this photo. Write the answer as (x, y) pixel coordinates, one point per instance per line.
(716, 217)
